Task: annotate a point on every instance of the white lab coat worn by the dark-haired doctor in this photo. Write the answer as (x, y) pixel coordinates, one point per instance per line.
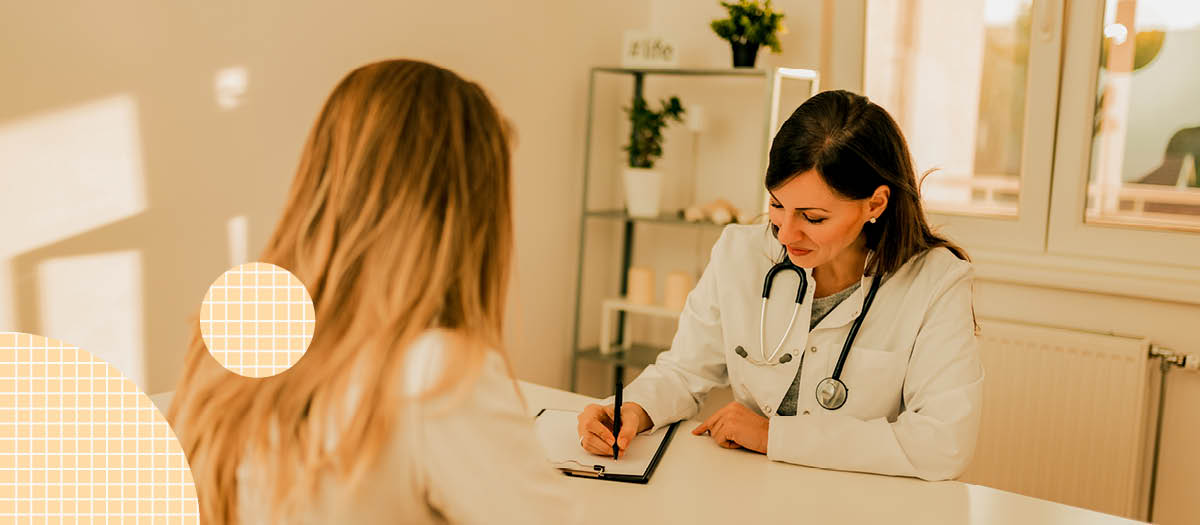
(914, 373)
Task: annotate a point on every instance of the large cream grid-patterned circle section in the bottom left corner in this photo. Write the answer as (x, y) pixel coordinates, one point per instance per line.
(81, 444)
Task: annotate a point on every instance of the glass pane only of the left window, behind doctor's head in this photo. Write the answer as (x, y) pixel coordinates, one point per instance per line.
(961, 106)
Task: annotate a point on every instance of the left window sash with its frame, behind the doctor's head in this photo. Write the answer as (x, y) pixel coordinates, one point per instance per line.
(973, 83)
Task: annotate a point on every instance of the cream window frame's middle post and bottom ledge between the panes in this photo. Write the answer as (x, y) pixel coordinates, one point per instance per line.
(1049, 244)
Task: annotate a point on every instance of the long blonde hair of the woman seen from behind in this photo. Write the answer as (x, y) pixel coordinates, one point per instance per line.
(399, 221)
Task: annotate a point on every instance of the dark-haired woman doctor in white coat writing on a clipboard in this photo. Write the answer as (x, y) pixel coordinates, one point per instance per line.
(886, 378)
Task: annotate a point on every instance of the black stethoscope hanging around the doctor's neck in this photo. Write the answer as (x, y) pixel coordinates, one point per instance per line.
(831, 393)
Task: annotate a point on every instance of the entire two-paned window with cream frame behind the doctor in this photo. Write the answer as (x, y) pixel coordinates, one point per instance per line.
(1067, 132)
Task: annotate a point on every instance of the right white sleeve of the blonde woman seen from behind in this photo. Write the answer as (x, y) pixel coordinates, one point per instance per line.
(483, 462)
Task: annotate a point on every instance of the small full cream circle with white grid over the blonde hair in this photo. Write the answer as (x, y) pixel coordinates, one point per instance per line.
(257, 319)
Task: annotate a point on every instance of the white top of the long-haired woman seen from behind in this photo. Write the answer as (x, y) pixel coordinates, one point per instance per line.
(459, 457)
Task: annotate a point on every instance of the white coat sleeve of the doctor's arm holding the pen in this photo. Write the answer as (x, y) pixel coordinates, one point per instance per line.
(673, 389)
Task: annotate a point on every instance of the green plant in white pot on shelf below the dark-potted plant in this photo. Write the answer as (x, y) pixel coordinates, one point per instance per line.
(643, 184)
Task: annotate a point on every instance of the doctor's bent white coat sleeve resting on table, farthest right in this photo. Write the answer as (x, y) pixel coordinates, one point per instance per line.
(934, 438)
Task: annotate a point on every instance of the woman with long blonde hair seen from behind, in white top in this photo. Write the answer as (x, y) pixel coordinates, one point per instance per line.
(403, 411)
